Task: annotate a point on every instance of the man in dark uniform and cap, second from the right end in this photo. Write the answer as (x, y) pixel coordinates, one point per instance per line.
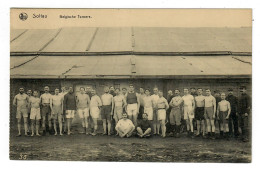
(233, 119)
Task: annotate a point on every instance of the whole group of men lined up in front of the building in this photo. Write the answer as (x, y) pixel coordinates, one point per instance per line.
(147, 114)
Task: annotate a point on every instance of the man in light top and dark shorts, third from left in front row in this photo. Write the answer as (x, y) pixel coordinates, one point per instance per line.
(46, 110)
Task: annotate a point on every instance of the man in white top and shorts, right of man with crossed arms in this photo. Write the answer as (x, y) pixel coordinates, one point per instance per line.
(188, 109)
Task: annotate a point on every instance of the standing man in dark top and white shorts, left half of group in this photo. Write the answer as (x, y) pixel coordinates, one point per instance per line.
(69, 105)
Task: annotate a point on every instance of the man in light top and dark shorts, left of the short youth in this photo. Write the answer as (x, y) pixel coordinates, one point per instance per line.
(209, 113)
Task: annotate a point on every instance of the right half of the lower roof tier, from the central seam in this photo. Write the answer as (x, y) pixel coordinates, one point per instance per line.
(191, 65)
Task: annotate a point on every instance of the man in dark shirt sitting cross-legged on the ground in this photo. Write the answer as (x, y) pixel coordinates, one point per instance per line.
(144, 127)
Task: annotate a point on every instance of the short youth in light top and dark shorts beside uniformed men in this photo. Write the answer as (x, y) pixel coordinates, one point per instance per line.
(223, 112)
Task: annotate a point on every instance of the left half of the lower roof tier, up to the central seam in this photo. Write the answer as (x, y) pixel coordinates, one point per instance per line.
(58, 66)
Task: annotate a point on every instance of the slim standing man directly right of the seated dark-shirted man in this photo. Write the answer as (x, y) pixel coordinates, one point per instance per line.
(156, 124)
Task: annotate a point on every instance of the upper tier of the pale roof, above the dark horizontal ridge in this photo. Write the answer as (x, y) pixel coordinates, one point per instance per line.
(133, 39)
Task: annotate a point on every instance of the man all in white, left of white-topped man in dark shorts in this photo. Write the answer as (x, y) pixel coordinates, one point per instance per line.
(95, 105)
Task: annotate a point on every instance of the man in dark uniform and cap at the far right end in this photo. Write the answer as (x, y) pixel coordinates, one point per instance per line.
(244, 106)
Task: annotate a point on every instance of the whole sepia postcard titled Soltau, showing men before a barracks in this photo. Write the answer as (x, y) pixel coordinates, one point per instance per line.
(131, 85)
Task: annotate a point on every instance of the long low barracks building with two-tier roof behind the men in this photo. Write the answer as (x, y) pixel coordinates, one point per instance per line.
(169, 58)
